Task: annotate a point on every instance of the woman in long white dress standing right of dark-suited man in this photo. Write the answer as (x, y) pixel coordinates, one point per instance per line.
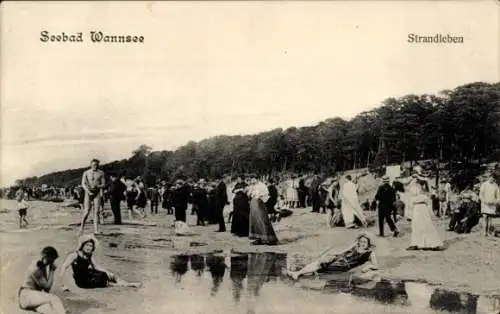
(424, 235)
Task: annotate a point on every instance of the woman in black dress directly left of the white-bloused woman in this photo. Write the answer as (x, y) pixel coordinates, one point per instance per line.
(241, 210)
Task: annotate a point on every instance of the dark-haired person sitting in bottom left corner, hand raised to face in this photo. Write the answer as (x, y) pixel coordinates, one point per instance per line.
(35, 294)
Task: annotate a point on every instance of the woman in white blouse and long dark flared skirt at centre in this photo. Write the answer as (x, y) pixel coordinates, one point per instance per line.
(261, 229)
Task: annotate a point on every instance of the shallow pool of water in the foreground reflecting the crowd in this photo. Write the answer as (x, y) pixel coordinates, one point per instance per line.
(256, 283)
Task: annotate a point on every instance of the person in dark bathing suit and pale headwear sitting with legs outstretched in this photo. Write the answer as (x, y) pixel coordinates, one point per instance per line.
(85, 273)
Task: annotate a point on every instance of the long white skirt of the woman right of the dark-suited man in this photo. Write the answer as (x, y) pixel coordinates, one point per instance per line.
(423, 232)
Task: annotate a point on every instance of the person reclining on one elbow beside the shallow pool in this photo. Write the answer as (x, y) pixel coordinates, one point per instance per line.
(360, 253)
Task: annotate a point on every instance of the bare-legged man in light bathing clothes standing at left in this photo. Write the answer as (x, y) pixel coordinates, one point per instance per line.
(93, 183)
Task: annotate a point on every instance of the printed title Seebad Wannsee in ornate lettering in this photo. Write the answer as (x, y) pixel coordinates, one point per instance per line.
(93, 36)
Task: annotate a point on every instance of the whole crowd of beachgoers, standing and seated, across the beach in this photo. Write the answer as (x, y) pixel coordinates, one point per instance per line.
(256, 205)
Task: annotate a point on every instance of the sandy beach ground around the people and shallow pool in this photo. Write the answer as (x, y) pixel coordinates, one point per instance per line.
(141, 251)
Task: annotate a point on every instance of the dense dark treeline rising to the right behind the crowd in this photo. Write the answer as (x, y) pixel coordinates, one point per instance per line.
(460, 126)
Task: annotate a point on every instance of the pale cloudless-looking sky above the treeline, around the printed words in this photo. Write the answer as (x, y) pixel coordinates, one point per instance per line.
(218, 68)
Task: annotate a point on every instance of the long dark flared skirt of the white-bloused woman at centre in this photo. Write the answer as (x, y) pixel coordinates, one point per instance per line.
(260, 225)
